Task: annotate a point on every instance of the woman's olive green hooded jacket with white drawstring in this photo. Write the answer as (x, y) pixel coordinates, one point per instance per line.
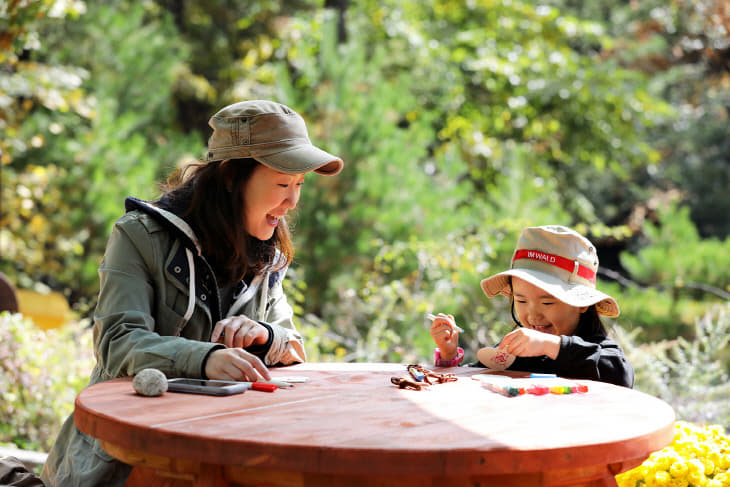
(158, 304)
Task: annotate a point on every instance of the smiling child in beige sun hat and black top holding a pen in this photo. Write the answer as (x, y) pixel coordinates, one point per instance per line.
(555, 303)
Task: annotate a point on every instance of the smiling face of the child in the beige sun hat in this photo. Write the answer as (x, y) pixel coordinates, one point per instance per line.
(540, 311)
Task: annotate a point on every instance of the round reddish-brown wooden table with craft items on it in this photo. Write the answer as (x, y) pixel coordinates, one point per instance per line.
(350, 426)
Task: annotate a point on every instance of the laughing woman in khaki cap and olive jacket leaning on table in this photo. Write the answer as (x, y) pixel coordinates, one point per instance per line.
(191, 284)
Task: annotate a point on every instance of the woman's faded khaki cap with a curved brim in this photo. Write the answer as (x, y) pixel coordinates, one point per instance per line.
(271, 133)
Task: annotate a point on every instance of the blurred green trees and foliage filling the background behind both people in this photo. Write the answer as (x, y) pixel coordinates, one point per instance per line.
(459, 122)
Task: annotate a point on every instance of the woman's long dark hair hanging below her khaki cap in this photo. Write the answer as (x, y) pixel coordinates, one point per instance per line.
(210, 198)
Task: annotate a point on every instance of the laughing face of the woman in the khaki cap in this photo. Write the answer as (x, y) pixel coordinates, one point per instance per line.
(268, 196)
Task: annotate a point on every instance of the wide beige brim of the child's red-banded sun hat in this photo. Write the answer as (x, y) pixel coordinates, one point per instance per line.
(574, 294)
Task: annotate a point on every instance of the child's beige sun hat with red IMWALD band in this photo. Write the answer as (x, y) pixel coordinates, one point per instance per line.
(559, 261)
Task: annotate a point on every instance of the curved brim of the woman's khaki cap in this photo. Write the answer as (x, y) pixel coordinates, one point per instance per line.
(301, 159)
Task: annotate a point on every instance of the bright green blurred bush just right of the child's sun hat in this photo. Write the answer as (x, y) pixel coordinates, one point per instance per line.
(676, 277)
